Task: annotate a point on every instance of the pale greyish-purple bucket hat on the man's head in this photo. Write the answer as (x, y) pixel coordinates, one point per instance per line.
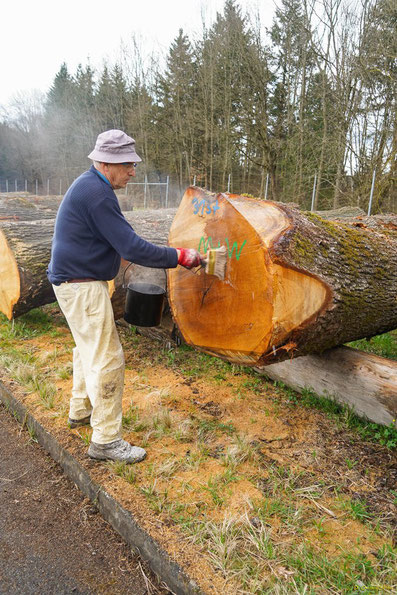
(114, 146)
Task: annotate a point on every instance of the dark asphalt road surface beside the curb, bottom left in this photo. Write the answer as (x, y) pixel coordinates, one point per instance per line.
(52, 540)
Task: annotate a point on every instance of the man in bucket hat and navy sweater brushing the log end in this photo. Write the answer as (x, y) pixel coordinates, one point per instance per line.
(90, 236)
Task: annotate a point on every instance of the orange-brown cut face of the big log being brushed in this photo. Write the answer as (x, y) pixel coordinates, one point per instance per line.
(253, 309)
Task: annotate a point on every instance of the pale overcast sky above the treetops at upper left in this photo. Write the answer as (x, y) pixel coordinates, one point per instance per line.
(37, 36)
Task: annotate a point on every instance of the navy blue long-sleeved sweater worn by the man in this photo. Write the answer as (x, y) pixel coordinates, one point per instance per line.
(91, 234)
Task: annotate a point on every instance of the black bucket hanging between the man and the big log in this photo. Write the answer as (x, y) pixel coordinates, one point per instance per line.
(144, 304)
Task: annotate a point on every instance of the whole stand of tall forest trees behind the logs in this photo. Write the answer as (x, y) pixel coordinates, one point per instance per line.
(321, 98)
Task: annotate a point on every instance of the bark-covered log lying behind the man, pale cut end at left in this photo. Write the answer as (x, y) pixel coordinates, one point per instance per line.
(25, 249)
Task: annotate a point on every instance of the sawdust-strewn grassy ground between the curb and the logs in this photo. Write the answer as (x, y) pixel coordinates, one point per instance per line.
(234, 459)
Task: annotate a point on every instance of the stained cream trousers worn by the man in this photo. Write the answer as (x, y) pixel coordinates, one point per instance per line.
(98, 359)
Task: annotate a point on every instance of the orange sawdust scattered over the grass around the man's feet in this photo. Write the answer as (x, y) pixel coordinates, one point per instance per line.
(229, 413)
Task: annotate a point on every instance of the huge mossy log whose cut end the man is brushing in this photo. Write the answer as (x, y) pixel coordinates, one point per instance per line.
(295, 283)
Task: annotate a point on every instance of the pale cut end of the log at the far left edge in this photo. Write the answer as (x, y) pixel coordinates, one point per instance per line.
(9, 278)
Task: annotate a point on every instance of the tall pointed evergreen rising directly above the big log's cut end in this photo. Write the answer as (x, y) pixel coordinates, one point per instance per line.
(228, 68)
